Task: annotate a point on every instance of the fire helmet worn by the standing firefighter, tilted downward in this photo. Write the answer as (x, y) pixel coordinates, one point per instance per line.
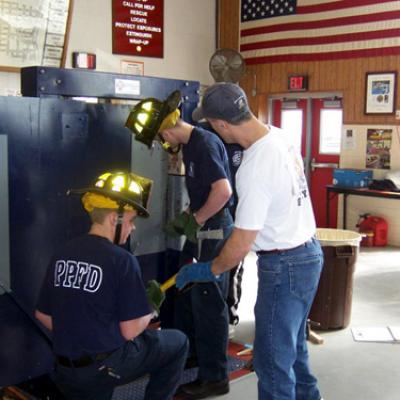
(151, 116)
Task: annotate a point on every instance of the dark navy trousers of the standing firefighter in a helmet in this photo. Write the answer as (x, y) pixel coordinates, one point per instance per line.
(201, 312)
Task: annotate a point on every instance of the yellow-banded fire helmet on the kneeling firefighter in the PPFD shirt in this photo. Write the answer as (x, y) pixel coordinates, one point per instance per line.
(117, 190)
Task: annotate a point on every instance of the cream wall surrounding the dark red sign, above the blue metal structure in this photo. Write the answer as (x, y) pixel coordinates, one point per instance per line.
(189, 41)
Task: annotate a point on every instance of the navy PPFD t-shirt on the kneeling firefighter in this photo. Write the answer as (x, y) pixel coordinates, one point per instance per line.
(90, 286)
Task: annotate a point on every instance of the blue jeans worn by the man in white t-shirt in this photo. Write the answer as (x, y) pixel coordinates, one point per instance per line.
(288, 281)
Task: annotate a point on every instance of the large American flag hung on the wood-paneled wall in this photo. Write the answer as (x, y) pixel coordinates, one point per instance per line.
(311, 30)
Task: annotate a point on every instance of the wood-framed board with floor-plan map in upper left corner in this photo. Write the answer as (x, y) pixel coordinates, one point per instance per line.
(33, 32)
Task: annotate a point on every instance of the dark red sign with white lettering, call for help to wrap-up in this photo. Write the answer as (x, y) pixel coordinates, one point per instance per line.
(138, 27)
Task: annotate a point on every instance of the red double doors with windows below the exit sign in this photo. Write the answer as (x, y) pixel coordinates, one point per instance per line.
(316, 126)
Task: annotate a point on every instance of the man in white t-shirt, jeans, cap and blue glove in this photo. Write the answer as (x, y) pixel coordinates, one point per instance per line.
(274, 217)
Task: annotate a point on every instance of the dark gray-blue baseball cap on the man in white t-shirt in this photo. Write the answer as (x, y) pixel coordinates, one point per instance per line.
(222, 100)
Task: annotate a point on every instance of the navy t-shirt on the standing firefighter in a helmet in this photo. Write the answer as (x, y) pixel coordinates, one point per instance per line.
(205, 162)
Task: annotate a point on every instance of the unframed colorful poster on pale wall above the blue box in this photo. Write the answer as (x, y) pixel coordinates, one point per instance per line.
(379, 143)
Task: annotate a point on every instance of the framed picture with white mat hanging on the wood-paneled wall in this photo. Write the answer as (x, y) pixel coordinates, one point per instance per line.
(380, 92)
